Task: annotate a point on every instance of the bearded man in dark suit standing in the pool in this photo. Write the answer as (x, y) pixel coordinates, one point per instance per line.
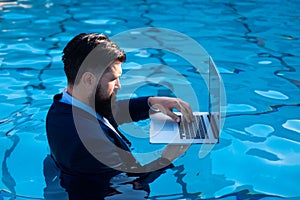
(82, 123)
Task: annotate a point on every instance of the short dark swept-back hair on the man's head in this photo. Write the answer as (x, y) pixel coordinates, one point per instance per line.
(76, 51)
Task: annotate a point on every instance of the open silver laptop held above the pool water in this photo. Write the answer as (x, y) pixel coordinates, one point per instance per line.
(205, 129)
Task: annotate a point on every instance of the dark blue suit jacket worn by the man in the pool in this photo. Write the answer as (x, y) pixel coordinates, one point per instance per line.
(88, 153)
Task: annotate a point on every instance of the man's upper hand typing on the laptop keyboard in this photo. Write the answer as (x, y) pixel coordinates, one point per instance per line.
(167, 104)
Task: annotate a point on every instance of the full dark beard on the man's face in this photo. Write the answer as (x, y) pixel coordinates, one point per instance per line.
(105, 105)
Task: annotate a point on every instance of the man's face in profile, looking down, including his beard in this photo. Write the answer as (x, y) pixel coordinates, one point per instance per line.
(107, 89)
